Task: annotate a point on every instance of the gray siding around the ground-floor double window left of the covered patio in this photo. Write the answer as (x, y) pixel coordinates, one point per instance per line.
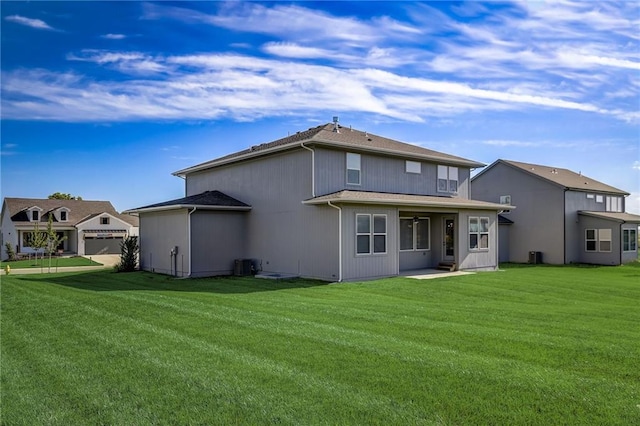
(368, 266)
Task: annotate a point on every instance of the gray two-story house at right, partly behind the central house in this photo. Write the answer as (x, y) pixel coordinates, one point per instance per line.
(562, 216)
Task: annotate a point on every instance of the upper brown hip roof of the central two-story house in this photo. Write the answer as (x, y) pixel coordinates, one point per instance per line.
(345, 138)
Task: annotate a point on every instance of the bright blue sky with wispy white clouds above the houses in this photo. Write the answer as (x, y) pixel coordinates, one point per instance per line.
(106, 99)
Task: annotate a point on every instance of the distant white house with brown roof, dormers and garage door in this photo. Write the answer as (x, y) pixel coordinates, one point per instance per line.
(90, 227)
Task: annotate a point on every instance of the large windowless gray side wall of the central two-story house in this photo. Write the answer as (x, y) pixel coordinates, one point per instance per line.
(282, 234)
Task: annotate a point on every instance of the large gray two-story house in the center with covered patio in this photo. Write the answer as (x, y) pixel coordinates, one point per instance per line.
(331, 203)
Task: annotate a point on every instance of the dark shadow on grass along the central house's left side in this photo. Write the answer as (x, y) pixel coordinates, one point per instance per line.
(107, 280)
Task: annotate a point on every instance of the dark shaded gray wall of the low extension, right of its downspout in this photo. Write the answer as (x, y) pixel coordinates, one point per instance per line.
(217, 239)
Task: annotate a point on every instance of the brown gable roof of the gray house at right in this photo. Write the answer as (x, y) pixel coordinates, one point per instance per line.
(559, 176)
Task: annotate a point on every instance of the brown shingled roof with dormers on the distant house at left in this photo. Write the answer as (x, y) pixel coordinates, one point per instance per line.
(77, 210)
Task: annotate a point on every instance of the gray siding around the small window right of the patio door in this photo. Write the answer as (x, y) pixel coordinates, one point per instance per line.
(478, 260)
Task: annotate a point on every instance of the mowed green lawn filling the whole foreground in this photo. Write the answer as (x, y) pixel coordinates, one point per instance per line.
(528, 345)
